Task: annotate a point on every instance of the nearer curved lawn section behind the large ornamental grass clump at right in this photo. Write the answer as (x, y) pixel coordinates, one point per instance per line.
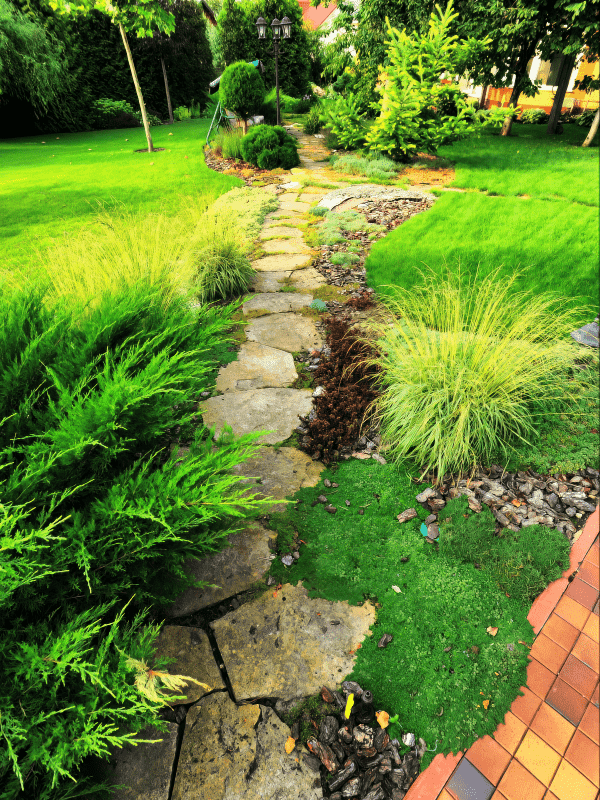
(553, 243)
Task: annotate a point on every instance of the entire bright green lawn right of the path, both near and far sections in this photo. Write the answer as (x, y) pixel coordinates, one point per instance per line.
(554, 242)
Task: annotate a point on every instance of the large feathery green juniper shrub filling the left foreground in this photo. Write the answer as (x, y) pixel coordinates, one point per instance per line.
(97, 513)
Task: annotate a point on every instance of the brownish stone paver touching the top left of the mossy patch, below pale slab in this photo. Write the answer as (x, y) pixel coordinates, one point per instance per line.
(281, 472)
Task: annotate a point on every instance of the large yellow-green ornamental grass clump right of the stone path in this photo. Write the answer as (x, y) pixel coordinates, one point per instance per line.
(468, 368)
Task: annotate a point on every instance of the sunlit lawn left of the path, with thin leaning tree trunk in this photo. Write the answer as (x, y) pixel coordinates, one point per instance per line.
(54, 188)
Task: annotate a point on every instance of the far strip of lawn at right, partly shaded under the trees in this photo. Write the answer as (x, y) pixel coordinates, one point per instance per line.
(529, 163)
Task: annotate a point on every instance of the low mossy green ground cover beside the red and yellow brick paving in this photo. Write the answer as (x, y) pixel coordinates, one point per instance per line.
(433, 601)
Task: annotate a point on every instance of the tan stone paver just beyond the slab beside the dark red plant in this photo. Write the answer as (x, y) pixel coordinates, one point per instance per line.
(257, 367)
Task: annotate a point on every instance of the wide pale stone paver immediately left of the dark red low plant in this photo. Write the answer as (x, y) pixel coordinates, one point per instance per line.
(275, 410)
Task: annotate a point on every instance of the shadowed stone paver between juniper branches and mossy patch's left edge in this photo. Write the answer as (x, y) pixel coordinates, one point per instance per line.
(231, 571)
